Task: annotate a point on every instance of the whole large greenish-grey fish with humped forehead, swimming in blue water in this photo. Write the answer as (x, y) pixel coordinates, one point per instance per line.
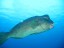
(32, 25)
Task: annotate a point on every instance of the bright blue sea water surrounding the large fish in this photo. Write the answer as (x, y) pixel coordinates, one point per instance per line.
(14, 11)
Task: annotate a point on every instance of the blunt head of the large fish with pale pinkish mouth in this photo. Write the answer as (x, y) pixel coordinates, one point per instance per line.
(46, 22)
